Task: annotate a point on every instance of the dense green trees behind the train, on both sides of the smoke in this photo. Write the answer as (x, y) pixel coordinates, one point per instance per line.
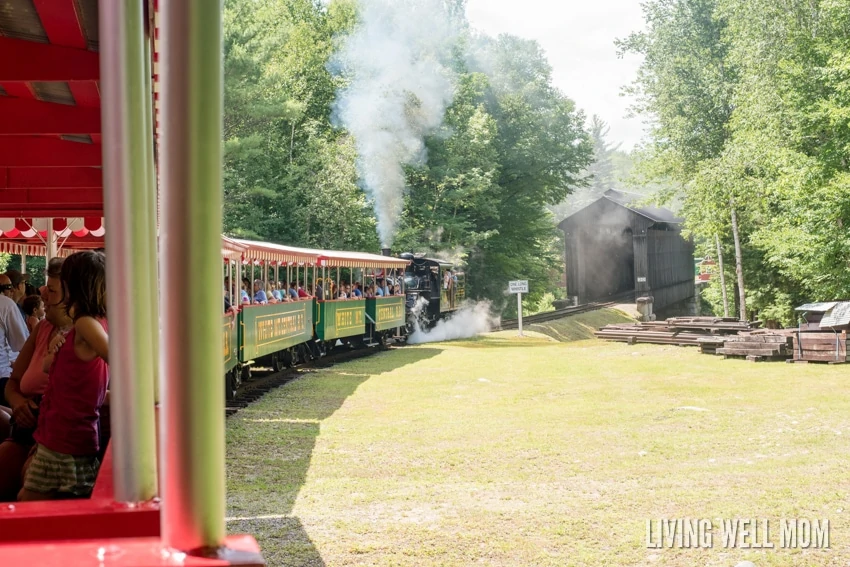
(510, 146)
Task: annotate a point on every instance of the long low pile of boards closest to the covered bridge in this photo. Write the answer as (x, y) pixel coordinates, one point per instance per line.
(682, 331)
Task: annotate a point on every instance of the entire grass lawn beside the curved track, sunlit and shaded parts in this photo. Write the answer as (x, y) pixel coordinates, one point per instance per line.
(507, 451)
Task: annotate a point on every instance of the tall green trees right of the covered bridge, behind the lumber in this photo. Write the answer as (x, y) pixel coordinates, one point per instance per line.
(751, 107)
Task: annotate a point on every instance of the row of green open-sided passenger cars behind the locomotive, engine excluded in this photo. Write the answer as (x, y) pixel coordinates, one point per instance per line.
(277, 335)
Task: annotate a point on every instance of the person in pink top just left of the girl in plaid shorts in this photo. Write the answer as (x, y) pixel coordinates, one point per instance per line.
(27, 383)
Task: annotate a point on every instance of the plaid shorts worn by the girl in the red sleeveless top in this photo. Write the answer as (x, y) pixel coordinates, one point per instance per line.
(50, 472)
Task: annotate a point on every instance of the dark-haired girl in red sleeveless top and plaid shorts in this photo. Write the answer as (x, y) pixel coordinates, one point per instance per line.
(67, 439)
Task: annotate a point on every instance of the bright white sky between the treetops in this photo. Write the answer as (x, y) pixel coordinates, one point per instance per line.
(578, 38)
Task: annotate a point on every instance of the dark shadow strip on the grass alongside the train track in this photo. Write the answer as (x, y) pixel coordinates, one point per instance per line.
(270, 445)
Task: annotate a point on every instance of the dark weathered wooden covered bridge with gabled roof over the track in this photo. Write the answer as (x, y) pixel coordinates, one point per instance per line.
(615, 245)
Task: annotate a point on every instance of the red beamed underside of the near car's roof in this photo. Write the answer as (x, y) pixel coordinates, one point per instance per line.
(50, 126)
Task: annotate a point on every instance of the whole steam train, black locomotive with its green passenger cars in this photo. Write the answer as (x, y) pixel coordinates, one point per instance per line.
(281, 335)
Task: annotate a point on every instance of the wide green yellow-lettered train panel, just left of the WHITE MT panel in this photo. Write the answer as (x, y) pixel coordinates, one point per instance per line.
(266, 329)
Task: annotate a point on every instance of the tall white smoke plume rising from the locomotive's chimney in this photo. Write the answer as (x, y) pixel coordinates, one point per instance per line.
(399, 87)
